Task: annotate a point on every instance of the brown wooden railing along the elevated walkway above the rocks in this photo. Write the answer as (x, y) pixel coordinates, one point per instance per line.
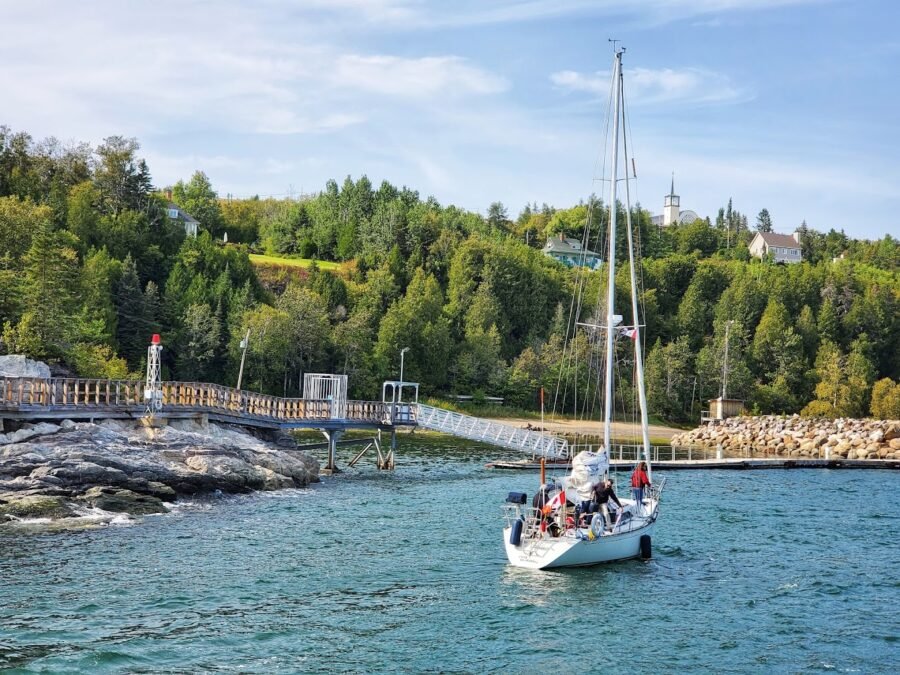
(128, 395)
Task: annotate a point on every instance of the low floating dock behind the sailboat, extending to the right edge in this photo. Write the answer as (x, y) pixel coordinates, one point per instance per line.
(727, 463)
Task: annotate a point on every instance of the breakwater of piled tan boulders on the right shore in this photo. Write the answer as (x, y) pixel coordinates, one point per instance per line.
(797, 437)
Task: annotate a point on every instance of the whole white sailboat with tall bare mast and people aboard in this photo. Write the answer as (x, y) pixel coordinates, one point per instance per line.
(560, 527)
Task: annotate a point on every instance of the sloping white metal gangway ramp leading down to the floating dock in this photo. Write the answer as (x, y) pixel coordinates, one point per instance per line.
(495, 433)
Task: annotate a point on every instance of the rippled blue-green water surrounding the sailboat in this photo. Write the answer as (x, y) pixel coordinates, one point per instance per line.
(770, 571)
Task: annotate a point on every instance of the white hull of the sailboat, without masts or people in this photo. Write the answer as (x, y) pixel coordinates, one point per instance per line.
(575, 549)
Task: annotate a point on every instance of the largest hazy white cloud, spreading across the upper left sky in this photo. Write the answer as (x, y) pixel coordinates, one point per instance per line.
(110, 68)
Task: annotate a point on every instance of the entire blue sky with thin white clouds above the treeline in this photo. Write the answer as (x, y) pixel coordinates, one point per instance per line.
(789, 105)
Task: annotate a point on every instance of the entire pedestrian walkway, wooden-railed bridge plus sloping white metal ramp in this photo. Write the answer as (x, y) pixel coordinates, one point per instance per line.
(93, 399)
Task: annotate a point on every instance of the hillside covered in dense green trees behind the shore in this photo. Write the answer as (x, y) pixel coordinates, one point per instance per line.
(91, 265)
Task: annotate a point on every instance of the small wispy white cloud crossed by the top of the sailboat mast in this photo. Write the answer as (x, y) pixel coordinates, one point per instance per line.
(666, 85)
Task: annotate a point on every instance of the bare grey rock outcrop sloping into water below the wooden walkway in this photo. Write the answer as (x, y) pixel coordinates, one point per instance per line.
(79, 474)
